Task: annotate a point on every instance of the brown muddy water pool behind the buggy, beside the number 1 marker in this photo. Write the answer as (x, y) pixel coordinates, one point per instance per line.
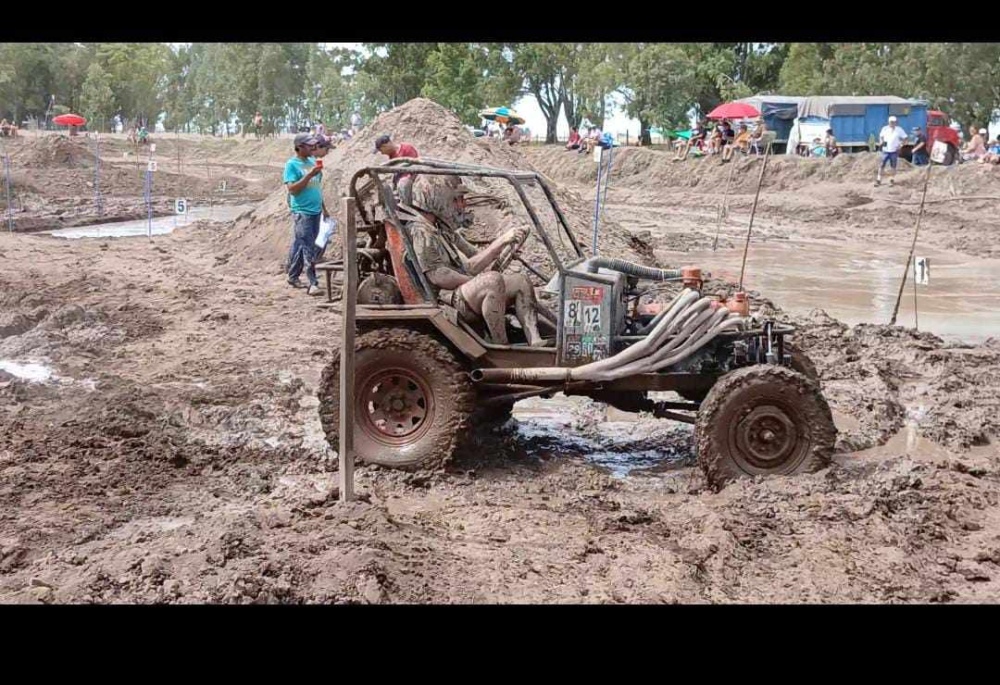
(859, 283)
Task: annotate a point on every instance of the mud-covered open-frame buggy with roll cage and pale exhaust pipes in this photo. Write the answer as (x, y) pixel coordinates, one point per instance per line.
(425, 378)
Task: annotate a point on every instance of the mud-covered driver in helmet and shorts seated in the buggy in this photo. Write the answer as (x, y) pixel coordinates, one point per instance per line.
(459, 273)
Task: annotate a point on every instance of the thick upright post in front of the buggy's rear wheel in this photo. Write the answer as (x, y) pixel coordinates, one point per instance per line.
(349, 300)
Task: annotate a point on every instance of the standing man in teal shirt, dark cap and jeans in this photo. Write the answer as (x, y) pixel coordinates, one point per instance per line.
(303, 179)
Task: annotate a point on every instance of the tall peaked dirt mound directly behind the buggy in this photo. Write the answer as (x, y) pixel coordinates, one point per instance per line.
(436, 133)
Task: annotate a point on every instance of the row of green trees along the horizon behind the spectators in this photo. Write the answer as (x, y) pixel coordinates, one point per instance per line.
(197, 87)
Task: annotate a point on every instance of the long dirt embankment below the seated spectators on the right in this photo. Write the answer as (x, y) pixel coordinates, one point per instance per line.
(803, 197)
